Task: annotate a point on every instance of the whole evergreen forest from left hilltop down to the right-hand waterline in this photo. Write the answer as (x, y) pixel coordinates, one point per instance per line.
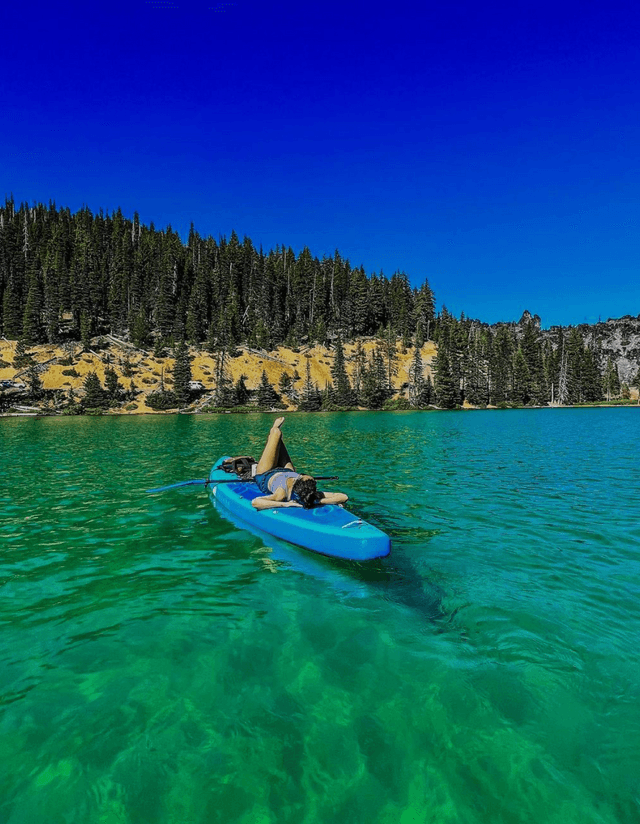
(76, 276)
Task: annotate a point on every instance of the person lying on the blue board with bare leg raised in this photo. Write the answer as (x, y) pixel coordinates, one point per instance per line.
(277, 478)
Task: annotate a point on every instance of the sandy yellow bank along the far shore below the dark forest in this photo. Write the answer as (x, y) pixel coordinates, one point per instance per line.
(63, 369)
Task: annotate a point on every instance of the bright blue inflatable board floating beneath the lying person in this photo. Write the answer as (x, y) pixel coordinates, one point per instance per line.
(329, 529)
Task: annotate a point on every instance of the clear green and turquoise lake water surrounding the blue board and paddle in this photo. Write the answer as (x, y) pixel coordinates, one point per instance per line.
(159, 665)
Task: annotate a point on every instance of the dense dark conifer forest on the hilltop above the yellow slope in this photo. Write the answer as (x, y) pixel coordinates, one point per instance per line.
(108, 273)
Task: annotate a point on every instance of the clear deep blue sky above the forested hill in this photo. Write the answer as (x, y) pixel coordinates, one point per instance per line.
(491, 147)
